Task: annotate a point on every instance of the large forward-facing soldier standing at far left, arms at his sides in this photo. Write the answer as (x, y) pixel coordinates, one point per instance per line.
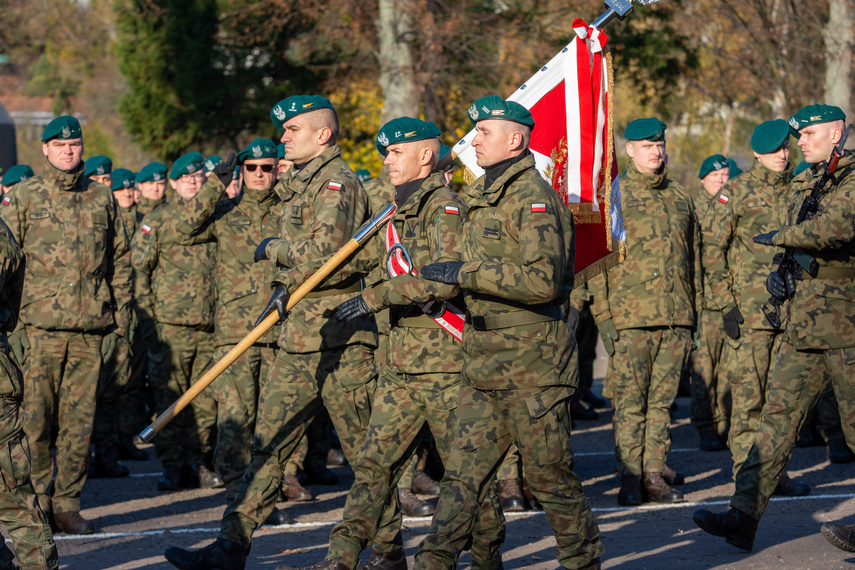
(76, 303)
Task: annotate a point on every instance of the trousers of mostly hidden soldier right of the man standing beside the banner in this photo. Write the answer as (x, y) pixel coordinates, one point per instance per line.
(711, 399)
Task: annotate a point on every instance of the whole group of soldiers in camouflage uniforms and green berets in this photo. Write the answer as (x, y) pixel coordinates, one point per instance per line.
(452, 331)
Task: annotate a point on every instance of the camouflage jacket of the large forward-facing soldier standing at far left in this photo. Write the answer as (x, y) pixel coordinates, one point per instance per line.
(78, 271)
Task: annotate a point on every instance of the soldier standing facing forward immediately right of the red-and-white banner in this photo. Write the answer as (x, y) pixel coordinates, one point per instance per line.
(645, 309)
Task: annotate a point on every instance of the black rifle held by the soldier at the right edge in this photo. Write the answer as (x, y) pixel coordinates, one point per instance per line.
(794, 260)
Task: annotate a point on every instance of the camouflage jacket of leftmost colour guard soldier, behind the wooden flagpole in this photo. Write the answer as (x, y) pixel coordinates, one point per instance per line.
(324, 205)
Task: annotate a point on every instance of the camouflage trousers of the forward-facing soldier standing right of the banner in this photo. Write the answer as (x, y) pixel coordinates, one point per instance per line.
(644, 373)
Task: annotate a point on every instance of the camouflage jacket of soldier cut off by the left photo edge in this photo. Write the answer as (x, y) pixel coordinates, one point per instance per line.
(11, 286)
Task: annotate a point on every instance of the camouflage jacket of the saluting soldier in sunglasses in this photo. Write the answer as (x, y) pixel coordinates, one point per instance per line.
(239, 225)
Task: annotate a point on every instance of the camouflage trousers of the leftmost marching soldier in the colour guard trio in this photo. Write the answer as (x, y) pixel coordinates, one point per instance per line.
(343, 380)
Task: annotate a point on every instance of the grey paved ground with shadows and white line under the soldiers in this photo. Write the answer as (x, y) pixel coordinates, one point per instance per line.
(137, 523)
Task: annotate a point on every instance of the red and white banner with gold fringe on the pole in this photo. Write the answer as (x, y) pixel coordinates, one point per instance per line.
(572, 142)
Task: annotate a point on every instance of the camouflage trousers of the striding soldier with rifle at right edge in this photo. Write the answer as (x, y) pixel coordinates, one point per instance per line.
(795, 383)
